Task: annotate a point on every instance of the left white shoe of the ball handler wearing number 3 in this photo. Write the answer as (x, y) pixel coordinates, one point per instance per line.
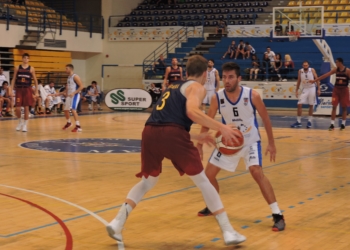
(115, 227)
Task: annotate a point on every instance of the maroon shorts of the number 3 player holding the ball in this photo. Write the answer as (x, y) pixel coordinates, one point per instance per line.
(168, 141)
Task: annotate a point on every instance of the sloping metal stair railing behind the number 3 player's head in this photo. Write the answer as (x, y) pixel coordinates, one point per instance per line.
(173, 42)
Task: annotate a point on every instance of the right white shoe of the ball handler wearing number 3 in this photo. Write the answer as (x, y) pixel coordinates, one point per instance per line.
(231, 237)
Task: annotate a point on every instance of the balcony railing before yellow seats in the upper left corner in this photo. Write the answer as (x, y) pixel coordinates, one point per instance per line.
(48, 18)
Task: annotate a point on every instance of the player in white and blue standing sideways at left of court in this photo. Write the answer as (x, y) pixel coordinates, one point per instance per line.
(72, 93)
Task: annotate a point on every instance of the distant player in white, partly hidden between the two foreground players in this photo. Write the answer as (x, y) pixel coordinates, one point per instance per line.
(212, 83)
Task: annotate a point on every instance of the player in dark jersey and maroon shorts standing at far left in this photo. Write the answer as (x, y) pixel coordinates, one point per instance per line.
(22, 80)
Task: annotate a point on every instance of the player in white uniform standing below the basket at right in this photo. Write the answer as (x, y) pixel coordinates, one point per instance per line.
(308, 94)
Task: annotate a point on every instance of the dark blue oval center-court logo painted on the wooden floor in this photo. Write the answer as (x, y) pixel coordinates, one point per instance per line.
(89, 145)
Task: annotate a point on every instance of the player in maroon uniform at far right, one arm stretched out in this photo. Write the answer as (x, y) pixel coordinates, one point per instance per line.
(340, 94)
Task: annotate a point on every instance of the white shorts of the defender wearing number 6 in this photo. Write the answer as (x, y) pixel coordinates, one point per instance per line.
(251, 155)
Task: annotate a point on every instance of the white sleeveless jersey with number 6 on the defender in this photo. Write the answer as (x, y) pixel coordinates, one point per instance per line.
(242, 114)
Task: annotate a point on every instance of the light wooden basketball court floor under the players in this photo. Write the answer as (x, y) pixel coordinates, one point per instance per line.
(311, 178)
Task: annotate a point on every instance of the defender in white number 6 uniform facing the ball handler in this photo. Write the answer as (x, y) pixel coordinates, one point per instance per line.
(237, 105)
